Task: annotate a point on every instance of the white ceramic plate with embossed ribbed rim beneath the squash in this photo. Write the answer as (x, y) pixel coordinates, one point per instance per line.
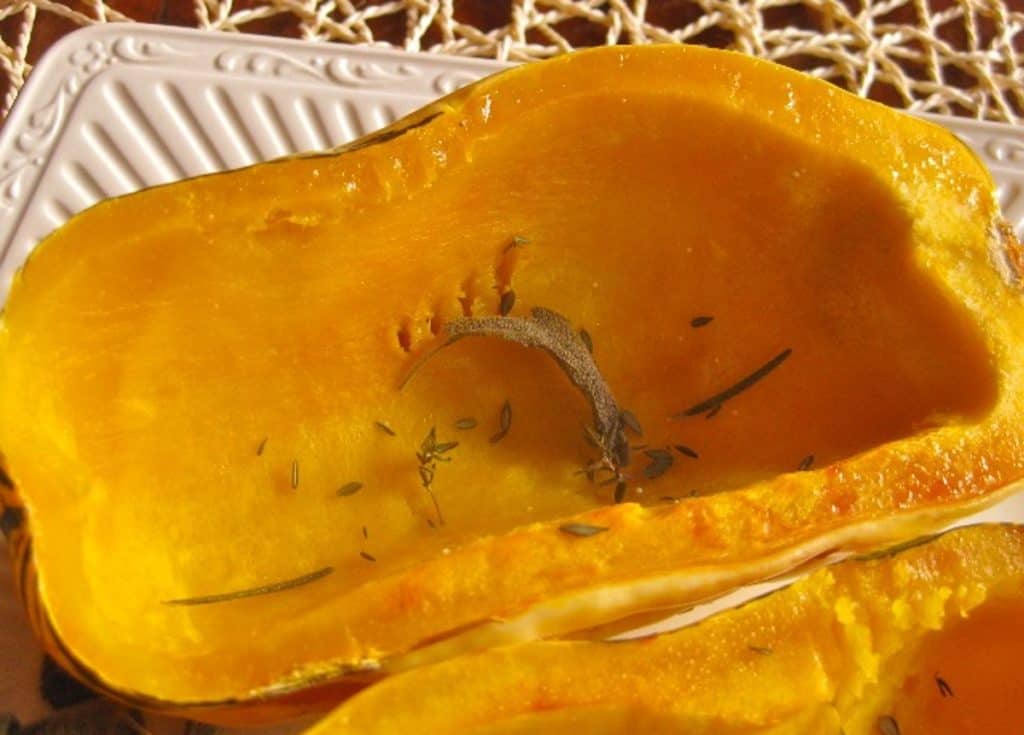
(115, 108)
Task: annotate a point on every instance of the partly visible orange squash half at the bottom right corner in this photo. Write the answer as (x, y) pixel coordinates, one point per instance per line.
(930, 638)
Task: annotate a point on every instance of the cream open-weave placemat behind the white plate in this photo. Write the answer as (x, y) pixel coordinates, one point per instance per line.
(955, 57)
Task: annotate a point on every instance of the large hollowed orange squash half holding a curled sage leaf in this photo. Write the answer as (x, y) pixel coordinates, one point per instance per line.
(594, 337)
